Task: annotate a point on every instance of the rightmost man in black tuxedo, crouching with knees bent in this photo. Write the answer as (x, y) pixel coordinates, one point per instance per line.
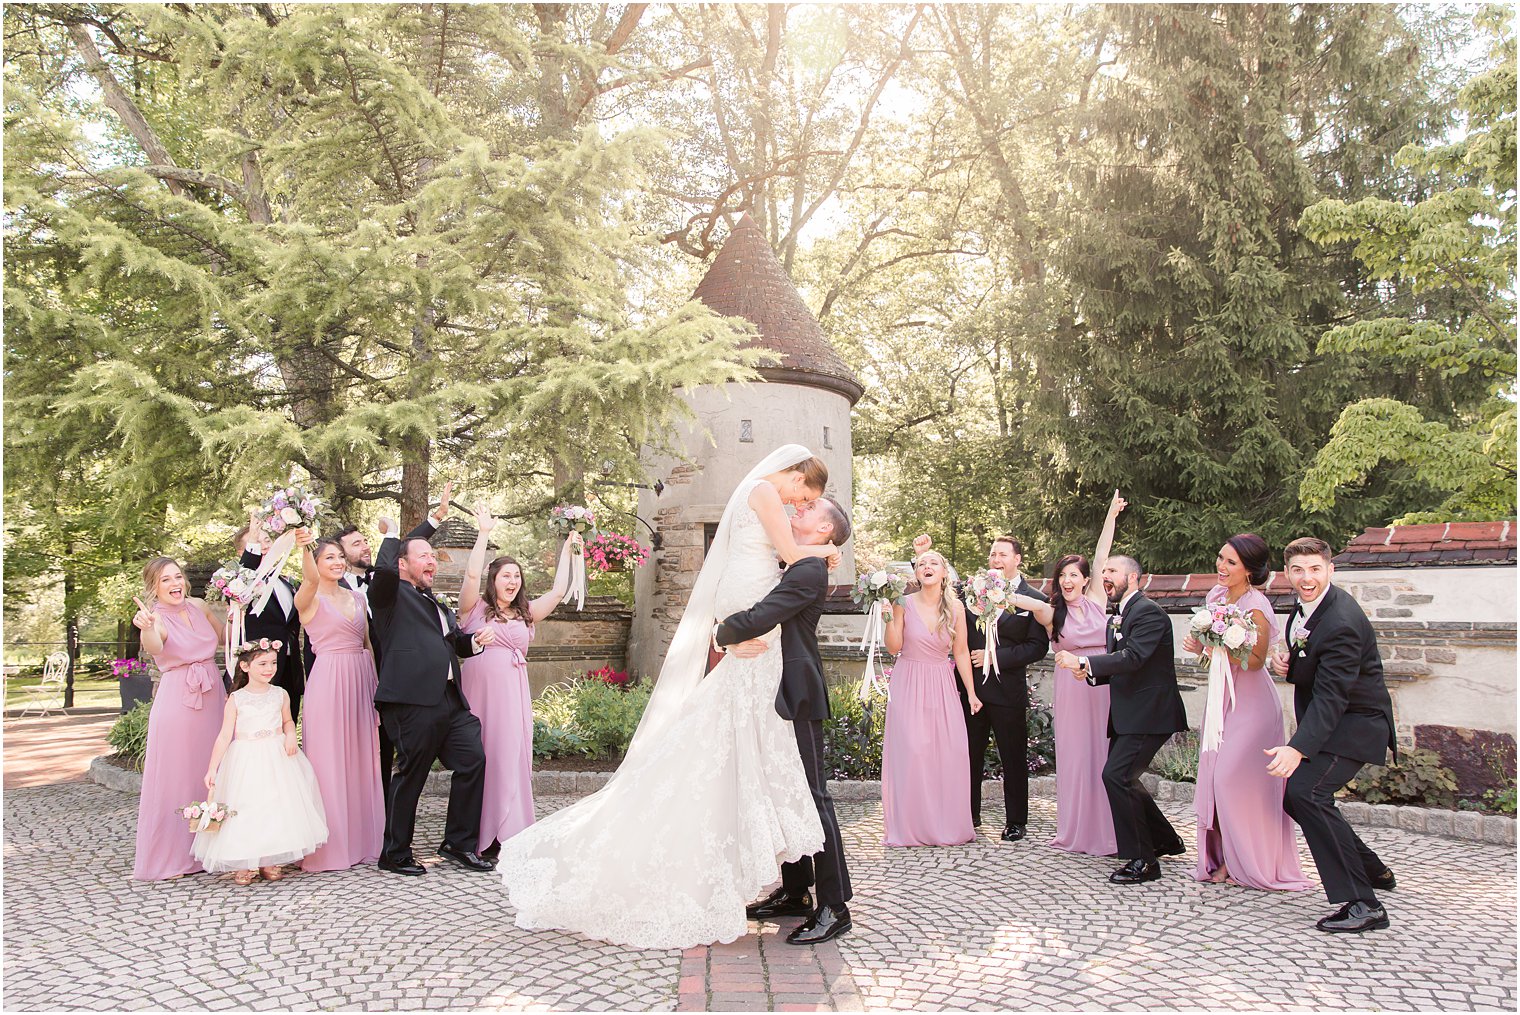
(1346, 719)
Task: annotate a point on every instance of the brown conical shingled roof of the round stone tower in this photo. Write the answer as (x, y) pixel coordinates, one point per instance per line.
(749, 282)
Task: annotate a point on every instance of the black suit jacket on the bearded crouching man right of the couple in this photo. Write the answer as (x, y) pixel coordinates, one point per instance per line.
(1141, 671)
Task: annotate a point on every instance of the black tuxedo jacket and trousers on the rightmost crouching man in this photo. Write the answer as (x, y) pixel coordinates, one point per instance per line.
(1346, 719)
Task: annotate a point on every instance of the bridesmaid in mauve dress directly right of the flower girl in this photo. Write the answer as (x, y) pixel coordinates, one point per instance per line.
(340, 726)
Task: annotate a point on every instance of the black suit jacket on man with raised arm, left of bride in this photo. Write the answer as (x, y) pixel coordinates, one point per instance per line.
(417, 657)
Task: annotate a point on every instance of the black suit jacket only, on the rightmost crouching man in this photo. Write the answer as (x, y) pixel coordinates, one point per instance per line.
(1340, 697)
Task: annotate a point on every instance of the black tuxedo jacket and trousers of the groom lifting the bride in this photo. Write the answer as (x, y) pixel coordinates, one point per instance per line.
(797, 604)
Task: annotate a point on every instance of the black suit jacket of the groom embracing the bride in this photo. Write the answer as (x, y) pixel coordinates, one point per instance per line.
(796, 604)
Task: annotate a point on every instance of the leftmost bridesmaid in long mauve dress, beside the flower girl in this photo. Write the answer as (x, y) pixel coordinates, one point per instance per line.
(182, 636)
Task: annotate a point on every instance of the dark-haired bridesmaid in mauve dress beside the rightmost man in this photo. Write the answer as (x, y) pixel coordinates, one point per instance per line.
(1244, 835)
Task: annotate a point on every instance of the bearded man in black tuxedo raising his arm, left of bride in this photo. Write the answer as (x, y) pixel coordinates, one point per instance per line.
(420, 703)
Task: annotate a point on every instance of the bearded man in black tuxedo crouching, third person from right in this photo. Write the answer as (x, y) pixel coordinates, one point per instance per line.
(1145, 709)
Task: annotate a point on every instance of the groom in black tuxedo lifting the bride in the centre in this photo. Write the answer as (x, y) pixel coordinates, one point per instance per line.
(797, 604)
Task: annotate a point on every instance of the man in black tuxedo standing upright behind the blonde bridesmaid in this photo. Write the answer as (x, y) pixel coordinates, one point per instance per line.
(1004, 692)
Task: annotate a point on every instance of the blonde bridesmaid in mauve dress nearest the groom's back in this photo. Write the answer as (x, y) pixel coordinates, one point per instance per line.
(926, 786)
